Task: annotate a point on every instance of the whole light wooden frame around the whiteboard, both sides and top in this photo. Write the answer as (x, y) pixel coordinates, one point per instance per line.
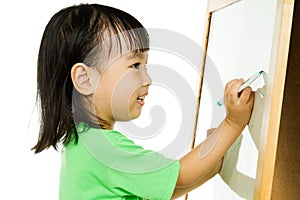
(274, 94)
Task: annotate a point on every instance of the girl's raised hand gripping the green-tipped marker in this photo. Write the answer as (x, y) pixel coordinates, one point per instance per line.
(238, 105)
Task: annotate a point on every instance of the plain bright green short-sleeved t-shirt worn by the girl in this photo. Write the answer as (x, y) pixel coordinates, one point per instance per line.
(104, 164)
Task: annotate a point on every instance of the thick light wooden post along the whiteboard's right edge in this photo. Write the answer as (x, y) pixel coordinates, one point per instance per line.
(273, 102)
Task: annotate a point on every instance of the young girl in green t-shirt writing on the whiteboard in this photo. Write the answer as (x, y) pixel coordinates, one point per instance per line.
(91, 73)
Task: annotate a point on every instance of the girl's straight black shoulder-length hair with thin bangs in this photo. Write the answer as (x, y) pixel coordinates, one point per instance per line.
(73, 35)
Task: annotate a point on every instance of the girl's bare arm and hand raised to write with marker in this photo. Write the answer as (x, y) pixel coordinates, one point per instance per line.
(204, 161)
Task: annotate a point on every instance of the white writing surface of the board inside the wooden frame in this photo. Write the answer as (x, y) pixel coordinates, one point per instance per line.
(239, 44)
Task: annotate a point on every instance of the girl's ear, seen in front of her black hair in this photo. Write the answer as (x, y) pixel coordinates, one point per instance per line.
(83, 78)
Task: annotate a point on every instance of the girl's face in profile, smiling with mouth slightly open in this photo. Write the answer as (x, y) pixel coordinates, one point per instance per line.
(122, 88)
